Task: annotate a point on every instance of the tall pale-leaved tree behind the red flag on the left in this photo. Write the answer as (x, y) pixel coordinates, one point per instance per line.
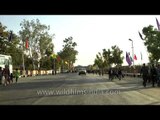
(39, 39)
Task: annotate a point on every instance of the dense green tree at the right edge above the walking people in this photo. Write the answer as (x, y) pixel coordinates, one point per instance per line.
(152, 42)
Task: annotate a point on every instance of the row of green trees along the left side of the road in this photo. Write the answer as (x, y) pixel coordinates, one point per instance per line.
(33, 46)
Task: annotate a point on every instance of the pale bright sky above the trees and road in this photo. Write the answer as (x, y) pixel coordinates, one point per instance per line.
(92, 33)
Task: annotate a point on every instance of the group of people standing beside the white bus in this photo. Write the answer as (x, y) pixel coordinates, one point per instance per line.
(7, 76)
